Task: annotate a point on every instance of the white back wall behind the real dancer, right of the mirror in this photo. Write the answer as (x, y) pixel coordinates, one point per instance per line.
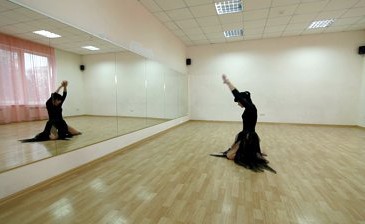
(306, 79)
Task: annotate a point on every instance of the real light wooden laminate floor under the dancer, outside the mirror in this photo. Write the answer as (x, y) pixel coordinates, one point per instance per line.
(171, 178)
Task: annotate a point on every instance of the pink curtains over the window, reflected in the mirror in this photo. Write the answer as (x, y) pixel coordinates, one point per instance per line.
(27, 78)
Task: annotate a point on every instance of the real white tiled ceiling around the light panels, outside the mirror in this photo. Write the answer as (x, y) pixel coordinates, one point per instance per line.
(196, 22)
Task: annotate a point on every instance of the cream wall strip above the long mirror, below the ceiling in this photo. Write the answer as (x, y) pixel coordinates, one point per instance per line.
(126, 23)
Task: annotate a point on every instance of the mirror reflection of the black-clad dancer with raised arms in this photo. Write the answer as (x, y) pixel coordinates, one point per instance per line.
(56, 127)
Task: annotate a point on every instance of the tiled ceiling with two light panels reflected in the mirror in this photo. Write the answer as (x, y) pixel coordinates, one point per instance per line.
(20, 22)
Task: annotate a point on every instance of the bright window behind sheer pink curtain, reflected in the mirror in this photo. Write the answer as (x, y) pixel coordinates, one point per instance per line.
(26, 77)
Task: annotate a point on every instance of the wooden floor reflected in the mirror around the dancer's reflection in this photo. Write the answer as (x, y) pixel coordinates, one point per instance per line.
(94, 128)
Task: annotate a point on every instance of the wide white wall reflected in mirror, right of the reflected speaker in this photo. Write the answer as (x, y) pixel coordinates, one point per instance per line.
(145, 88)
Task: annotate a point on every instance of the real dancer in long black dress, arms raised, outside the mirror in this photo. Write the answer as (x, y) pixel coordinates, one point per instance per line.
(245, 149)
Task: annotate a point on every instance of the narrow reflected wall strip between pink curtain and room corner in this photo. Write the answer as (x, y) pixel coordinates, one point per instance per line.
(68, 68)
